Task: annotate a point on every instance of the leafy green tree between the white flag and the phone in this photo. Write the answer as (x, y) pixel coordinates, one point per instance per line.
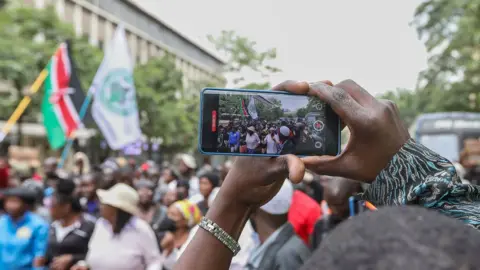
(165, 110)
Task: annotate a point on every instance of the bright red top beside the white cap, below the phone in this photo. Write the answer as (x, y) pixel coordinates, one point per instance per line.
(303, 214)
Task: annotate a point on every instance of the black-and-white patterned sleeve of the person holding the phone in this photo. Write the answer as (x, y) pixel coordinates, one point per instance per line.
(417, 175)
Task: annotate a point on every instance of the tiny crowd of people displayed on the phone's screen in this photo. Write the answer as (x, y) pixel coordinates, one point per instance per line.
(264, 137)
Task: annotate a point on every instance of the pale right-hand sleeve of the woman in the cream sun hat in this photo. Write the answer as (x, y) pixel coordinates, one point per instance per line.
(151, 252)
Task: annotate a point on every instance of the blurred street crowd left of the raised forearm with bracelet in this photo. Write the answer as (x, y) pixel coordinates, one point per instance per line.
(118, 215)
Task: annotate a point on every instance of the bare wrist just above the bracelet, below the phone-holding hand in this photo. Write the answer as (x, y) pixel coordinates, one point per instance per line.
(229, 214)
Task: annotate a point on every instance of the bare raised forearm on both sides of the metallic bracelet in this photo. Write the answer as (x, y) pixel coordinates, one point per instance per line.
(205, 252)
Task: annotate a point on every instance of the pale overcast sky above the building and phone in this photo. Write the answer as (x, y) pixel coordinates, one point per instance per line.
(369, 41)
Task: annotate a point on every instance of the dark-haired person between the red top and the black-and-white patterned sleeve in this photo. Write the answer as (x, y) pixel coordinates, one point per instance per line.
(337, 191)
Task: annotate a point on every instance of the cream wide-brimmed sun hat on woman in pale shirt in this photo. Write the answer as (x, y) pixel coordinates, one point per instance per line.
(121, 196)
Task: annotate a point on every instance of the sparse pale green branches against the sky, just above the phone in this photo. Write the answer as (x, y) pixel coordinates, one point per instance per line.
(242, 55)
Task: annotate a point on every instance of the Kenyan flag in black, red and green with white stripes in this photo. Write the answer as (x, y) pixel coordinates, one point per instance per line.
(62, 99)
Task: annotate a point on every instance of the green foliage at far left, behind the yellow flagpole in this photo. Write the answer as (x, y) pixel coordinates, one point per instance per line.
(29, 38)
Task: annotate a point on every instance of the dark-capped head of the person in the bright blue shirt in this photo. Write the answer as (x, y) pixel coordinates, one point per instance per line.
(17, 201)
